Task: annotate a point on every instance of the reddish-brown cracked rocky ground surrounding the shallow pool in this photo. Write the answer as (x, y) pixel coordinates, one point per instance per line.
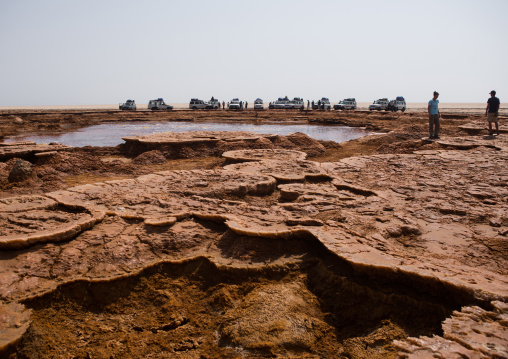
(216, 245)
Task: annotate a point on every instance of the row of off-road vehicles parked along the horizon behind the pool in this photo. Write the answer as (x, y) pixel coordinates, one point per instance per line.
(296, 103)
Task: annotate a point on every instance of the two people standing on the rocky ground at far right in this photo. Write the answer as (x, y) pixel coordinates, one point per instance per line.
(492, 113)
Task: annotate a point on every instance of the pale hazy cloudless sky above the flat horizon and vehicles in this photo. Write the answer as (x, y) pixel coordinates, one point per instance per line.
(69, 52)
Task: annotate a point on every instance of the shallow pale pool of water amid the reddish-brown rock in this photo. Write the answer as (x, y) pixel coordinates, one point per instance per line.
(110, 134)
